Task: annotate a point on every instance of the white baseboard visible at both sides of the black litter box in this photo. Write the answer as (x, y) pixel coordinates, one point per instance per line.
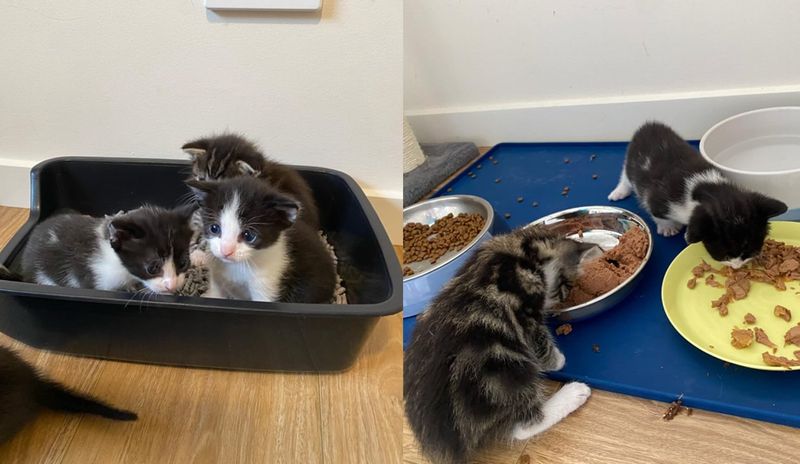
(15, 191)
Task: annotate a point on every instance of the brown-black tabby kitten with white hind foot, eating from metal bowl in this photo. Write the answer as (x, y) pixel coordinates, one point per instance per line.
(473, 370)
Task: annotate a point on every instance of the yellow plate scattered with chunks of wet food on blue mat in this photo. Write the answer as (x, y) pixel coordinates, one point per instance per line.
(691, 314)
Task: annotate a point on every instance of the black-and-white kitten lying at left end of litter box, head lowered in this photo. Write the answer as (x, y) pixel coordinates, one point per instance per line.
(147, 246)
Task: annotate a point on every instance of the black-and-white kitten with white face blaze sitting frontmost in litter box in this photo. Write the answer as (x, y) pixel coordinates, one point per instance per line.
(261, 252)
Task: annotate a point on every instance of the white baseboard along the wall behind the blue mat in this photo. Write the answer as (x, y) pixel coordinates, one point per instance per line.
(594, 119)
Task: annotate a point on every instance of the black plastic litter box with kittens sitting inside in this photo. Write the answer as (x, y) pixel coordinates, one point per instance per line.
(194, 331)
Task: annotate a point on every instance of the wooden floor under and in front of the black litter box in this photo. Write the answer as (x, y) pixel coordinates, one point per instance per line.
(210, 416)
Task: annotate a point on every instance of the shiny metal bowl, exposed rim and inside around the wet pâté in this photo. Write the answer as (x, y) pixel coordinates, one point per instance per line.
(602, 225)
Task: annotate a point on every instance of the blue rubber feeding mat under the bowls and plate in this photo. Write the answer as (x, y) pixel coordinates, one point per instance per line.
(640, 353)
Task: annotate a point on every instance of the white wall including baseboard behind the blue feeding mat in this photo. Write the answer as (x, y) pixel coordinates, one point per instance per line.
(520, 70)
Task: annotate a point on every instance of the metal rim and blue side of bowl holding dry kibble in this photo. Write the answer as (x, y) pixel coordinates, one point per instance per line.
(429, 278)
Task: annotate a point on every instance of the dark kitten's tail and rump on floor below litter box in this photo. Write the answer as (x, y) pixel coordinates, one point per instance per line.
(23, 392)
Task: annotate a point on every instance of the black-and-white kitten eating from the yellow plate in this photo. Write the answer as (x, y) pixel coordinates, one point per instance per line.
(678, 187)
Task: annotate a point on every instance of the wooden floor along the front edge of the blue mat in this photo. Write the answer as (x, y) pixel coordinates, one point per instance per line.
(612, 428)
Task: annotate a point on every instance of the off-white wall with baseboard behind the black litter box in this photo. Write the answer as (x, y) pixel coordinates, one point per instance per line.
(126, 78)
